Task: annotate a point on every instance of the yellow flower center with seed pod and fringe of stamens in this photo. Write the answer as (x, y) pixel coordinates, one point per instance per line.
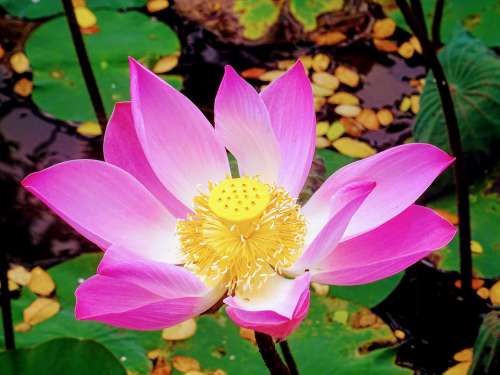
(241, 233)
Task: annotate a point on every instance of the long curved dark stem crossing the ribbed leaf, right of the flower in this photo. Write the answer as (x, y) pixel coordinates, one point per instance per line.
(460, 174)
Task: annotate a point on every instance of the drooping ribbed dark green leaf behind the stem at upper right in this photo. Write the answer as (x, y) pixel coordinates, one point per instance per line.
(473, 72)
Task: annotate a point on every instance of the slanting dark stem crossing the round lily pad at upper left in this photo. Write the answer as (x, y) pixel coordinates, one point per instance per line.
(85, 66)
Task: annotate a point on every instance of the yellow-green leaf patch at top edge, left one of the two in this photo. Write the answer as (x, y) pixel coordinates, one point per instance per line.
(256, 17)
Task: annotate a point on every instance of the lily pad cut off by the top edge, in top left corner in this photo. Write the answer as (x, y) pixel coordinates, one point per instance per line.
(33, 9)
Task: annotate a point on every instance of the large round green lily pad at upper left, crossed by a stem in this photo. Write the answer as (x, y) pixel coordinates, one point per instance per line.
(59, 86)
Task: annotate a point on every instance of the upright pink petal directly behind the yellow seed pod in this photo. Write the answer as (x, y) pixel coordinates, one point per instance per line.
(242, 123)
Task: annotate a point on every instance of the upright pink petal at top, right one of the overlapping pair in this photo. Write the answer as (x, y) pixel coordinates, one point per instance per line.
(289, 101)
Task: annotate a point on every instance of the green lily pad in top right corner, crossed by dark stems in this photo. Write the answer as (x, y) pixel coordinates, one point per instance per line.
(478, 17)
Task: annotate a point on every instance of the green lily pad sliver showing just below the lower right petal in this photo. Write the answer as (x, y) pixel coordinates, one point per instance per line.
(368, 295)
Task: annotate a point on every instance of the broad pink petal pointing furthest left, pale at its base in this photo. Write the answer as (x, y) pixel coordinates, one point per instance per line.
(107, 205)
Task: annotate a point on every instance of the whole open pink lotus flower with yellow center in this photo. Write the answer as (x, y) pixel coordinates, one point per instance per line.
(180, 234)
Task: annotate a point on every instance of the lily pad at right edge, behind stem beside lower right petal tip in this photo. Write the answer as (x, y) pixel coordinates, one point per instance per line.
(485, 216)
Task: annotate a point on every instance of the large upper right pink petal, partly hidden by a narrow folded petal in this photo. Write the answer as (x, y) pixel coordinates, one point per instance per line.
(402, 174)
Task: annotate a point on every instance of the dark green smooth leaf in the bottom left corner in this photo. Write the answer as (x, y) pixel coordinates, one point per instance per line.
(62, 356)
